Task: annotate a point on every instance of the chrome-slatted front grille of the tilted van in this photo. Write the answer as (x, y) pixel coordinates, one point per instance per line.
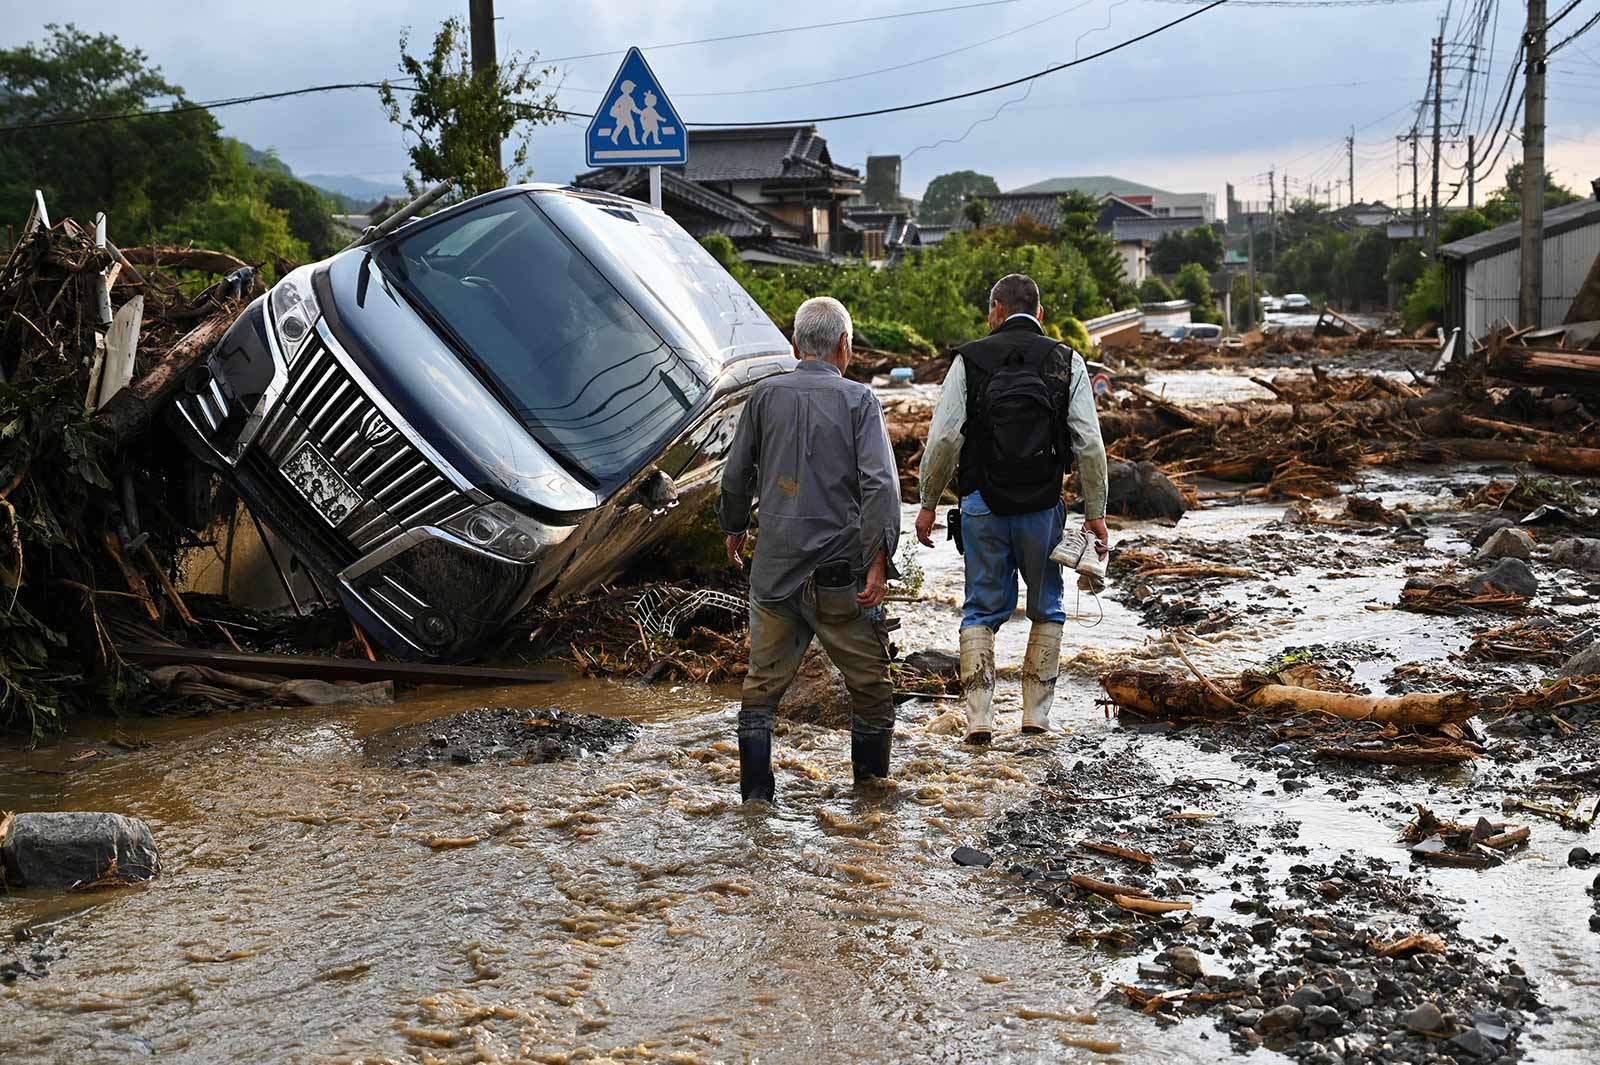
(351, 465)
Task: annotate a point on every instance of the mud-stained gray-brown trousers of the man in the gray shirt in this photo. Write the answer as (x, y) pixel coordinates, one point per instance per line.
(780, 636)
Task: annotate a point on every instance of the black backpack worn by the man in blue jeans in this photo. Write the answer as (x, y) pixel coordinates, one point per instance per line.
(1023, 449)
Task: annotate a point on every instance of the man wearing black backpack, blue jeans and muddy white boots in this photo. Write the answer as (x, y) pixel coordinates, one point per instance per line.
(1015, 405)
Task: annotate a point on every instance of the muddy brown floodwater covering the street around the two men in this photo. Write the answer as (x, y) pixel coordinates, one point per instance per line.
(321, 906)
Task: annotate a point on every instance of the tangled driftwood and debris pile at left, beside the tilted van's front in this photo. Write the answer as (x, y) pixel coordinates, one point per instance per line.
(97, 497)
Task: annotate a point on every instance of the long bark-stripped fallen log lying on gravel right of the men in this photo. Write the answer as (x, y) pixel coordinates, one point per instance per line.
(1162, 696)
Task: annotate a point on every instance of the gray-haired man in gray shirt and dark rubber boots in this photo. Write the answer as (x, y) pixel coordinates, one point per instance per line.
(814, 449)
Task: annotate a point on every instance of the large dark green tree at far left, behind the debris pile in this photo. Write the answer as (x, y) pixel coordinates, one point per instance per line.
(142, 172)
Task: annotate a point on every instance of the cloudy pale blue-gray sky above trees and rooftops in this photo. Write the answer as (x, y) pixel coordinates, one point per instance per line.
(1220, 98)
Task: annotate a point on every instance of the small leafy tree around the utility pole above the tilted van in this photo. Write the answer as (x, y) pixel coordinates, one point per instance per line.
(458, 121)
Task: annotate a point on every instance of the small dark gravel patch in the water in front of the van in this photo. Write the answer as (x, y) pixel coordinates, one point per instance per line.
(505, 735)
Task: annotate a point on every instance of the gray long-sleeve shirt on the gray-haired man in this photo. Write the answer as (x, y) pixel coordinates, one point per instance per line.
(814, 449)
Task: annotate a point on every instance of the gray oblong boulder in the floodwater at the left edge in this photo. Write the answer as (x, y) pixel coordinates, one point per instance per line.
(57, 852)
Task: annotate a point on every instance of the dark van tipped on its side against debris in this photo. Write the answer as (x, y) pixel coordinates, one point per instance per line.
(492, 404)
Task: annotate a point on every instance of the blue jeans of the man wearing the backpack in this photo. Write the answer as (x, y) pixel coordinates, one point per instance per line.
(998, 549)
